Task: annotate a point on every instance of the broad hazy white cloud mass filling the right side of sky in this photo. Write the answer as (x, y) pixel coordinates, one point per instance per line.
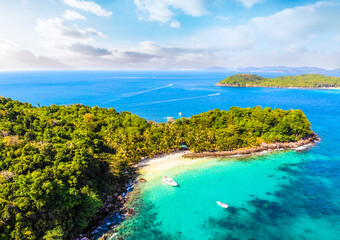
(294, 36)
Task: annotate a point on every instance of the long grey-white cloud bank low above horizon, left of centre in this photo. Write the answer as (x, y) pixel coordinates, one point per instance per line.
(147, 55)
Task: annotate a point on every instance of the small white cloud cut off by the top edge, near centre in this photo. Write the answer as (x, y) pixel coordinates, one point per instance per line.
(163, 10)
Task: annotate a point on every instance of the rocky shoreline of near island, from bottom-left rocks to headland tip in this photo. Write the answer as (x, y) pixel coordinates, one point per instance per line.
(114, 210)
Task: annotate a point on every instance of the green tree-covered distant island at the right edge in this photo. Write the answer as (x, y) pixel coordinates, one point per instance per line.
(300, 81)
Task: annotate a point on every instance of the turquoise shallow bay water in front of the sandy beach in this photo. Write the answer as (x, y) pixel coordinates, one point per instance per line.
(269, 197)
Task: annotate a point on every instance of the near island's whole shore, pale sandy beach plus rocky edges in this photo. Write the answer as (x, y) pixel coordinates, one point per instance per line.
(149, 168)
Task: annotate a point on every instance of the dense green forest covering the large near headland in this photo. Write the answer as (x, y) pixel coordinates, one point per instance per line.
(57, 162)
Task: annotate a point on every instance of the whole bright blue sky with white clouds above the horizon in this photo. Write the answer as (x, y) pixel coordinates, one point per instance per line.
(168, 34)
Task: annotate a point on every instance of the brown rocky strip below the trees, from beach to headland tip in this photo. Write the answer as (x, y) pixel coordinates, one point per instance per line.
(311, 139)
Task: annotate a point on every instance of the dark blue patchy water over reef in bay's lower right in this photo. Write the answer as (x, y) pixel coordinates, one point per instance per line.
(307, 195)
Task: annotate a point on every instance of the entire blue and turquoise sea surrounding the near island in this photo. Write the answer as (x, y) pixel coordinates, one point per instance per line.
(282, 195)
